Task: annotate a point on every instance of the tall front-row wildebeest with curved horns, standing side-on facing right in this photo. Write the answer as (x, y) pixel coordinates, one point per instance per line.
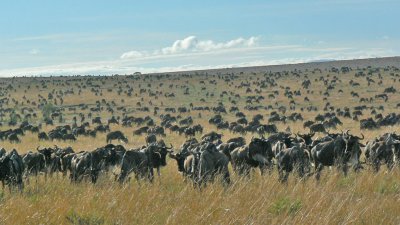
(343, 149)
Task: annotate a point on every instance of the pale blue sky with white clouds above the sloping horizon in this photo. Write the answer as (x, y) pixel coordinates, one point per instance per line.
(109, 37)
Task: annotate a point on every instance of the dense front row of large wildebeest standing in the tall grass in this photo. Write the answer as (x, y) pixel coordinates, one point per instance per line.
(201, 161)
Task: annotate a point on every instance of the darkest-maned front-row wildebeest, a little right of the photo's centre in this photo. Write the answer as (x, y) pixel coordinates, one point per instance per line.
(257, 154)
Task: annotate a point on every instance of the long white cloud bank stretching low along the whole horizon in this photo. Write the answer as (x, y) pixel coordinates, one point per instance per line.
(192, 53)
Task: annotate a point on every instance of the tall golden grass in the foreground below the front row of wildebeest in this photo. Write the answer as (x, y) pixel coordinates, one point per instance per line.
(363, 198)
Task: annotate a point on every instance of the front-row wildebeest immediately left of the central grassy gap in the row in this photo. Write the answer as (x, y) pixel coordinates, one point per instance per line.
(143, 161)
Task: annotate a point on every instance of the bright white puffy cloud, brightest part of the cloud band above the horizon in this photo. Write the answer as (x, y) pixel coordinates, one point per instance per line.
(193, 44)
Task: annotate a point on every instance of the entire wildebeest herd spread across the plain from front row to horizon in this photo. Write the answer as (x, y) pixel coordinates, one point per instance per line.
(293, 121)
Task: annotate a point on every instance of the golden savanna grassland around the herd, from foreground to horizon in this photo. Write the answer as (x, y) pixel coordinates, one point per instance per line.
(360, 198)
